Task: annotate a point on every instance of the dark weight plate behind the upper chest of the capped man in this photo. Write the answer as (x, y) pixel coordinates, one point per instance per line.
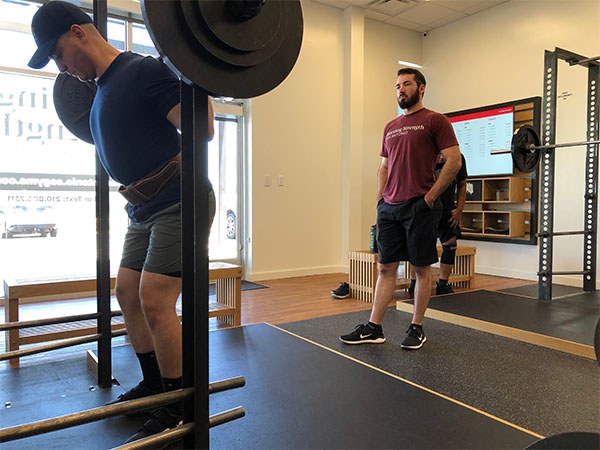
(73, 101)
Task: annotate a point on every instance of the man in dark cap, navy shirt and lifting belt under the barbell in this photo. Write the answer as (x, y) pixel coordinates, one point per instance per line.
(134, 121)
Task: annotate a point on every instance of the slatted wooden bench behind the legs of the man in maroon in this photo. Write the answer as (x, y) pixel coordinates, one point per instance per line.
(363, 272)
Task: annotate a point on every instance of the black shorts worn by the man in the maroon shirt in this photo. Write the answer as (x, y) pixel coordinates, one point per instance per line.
(408, 232)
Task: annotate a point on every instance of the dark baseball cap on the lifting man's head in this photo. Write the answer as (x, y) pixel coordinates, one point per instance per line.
(50, 22)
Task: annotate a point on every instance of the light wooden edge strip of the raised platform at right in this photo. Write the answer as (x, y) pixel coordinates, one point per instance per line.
(554, 343)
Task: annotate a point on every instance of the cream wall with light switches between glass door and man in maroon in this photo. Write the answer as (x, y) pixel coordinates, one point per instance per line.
(321, 129)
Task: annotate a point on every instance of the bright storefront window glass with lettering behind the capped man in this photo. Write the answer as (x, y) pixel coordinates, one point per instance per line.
(47, 175)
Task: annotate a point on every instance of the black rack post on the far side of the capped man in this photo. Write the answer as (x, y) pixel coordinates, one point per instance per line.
(102, 243)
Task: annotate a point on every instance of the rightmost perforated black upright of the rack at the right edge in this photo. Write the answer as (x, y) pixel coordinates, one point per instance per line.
(590, 217)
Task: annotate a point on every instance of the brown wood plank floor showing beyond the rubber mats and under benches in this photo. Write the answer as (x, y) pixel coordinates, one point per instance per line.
(284, 300)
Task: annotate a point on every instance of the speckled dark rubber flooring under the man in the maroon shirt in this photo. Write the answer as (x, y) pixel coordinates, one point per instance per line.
(540, 389)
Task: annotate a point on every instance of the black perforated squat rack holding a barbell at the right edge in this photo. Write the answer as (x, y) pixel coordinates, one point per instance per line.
(590, 220)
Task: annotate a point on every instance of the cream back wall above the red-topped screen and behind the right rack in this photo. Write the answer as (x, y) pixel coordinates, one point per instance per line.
(497, 56)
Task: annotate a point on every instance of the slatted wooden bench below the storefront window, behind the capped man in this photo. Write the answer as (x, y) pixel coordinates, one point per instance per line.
(226, 307)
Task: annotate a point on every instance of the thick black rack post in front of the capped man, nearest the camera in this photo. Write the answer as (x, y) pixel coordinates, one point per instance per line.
(194, 239)
